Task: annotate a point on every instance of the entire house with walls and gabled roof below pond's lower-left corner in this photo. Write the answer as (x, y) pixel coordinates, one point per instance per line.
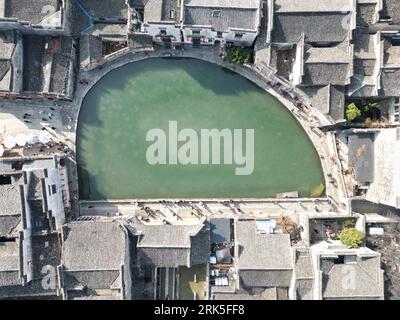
(95, 261)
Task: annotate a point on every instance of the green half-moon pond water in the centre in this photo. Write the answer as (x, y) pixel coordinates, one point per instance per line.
(124, 105)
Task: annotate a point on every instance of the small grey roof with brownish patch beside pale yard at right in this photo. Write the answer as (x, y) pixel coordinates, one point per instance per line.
(361, 156)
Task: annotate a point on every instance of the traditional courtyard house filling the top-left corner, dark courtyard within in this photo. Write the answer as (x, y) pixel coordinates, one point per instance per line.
(37, 59)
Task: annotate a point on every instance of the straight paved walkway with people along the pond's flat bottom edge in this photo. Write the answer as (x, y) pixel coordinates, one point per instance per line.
(191, 212)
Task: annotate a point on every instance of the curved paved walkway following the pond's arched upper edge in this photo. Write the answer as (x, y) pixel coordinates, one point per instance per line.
(309, 118)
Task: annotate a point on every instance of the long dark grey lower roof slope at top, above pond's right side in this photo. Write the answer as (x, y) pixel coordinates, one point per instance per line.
(289, 27)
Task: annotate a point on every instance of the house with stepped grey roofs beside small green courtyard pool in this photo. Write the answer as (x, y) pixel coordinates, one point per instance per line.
(164, 253)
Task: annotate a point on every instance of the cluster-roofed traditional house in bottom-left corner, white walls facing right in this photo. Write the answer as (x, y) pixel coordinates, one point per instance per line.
(30, 218)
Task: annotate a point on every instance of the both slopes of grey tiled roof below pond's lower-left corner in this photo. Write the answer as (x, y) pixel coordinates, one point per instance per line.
(93, 254)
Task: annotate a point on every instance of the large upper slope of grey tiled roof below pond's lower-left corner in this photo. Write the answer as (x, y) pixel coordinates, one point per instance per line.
(93, 246)
